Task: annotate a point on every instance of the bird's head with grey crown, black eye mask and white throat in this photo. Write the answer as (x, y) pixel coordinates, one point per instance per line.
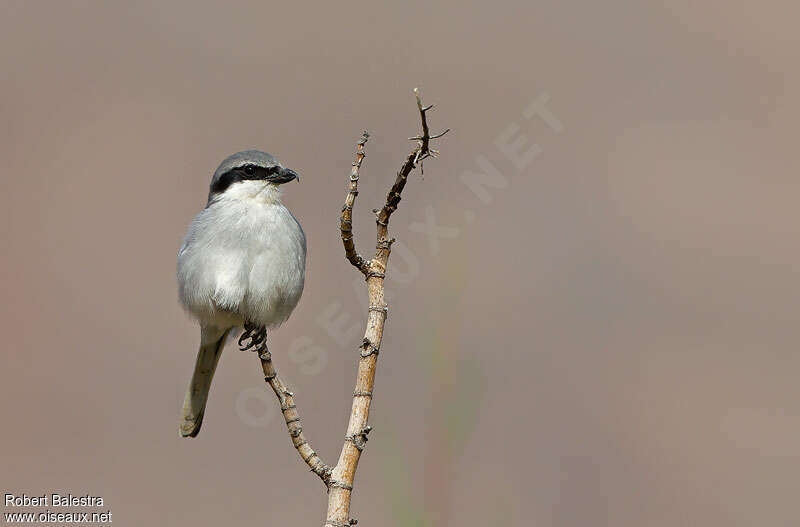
(249, 173)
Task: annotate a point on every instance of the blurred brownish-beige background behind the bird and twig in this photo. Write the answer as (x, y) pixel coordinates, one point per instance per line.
(608, 338)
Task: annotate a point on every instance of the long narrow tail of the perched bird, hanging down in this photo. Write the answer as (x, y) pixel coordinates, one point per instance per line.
(194, 404)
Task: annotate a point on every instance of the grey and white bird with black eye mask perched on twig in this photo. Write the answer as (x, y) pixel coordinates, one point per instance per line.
(241, 265)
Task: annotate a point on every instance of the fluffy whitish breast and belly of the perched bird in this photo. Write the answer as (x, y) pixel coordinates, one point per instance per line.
(243, 259)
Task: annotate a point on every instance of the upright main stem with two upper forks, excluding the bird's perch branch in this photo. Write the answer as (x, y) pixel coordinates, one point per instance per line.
(340, 486)
